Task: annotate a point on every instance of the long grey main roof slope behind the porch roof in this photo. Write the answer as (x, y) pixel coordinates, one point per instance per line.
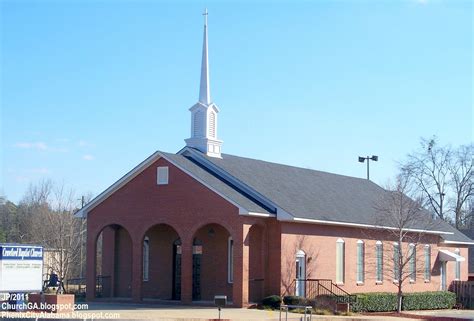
(314, 196)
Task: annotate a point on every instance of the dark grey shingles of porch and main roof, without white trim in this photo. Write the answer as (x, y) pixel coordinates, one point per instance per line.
(303, 193)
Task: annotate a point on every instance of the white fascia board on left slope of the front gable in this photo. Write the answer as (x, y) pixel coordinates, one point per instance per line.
(118, 184)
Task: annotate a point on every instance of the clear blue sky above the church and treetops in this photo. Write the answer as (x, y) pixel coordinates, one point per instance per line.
(91, 88)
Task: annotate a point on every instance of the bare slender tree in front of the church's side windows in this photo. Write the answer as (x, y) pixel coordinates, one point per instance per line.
(405, 223)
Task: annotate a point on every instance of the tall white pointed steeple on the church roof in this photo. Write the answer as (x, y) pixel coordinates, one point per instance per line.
(204, 112)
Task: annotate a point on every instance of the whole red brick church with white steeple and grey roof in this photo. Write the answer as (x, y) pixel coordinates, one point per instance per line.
(199, 223)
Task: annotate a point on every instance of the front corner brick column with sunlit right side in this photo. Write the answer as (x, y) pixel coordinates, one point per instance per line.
(240, 291)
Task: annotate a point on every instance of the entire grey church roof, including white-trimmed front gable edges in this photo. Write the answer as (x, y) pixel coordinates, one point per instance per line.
(290, 193)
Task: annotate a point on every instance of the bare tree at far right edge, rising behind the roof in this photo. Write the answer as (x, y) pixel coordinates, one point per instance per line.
(462, 182)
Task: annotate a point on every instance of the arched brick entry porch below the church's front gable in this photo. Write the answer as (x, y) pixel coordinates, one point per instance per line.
(165, 262)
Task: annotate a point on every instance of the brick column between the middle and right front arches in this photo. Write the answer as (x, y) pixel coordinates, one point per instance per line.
(186, 270)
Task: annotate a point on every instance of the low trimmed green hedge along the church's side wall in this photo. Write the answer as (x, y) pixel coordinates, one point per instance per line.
(382, 302)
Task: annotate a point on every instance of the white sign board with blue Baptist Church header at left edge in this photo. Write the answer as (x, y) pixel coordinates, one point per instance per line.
(21, 268)
